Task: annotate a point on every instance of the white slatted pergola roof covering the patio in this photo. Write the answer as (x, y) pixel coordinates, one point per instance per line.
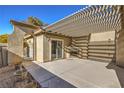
(92, 19)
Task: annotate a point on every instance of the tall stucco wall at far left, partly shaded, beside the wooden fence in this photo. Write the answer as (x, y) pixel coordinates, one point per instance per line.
(15, 46)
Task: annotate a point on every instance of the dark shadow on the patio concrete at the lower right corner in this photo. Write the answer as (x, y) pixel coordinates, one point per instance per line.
(119, 71)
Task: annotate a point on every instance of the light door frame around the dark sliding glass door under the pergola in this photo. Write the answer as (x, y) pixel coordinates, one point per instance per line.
(50, 45)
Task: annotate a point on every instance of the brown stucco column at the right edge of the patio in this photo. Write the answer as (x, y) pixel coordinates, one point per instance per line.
(120, 41)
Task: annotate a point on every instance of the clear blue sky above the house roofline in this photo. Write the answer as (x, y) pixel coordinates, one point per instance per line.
(46, 13)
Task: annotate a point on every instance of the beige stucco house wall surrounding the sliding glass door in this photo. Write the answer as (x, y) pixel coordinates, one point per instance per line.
(43, 46)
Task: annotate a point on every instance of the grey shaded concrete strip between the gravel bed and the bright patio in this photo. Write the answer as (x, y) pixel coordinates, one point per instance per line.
(45, 78)
